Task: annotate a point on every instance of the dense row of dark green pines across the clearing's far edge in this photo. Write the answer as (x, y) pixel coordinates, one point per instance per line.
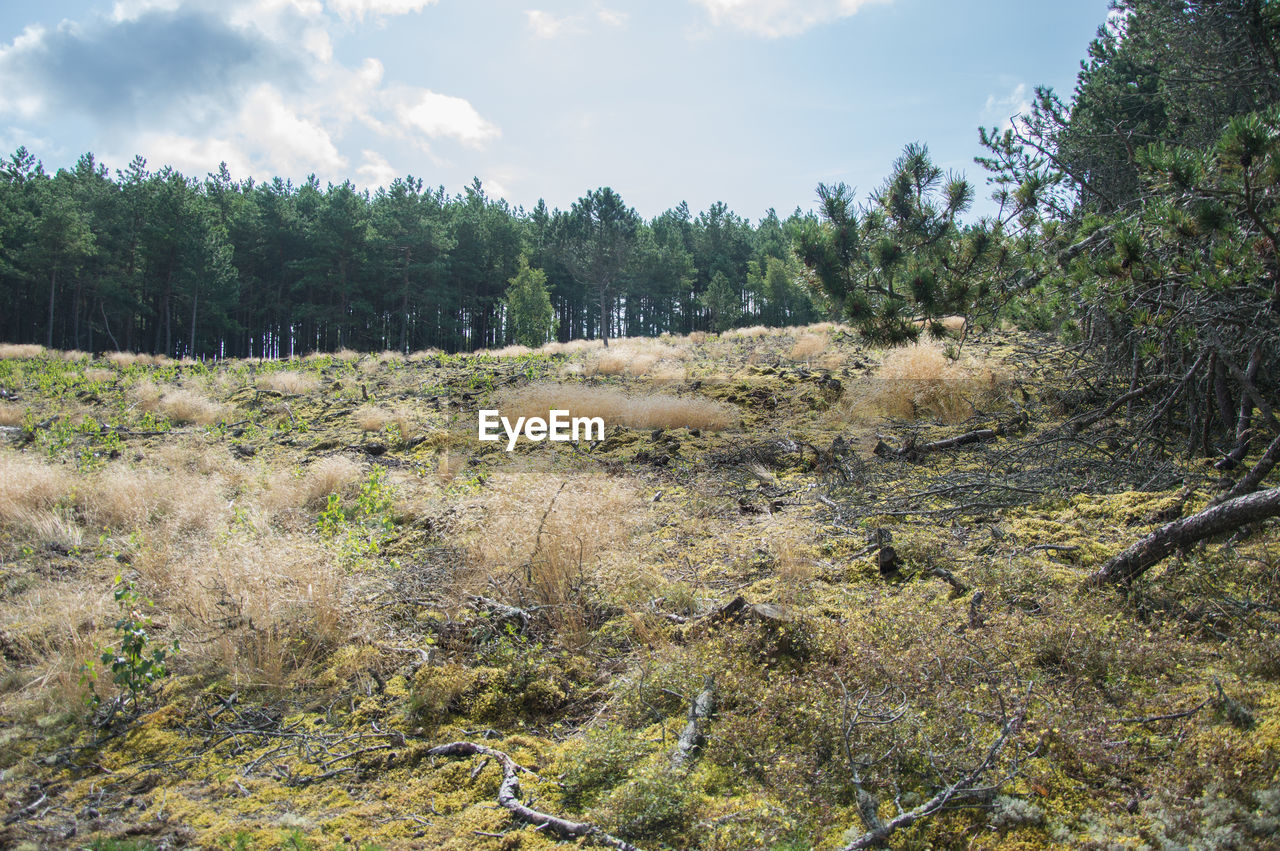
(157, 262)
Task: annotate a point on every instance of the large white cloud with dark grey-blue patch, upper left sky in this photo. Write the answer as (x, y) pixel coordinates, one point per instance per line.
(252, 83)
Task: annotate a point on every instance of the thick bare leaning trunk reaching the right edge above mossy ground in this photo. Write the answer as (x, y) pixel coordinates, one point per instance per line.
(1215, 520)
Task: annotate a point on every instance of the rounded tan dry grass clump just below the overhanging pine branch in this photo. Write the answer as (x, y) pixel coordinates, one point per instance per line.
(920, 382)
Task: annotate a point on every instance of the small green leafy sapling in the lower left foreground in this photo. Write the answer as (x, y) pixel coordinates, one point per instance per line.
(136, 665)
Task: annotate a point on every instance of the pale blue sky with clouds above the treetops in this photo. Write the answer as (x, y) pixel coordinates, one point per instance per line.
(752, 103)
